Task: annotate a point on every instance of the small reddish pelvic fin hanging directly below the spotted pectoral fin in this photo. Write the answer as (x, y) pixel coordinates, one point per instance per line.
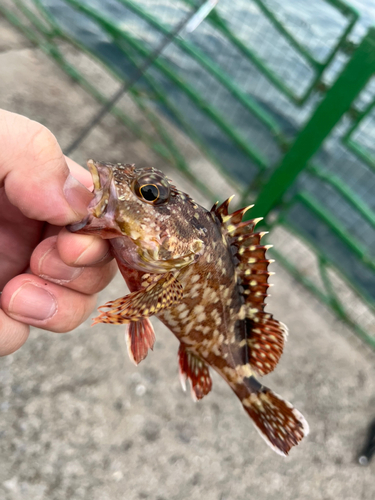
(140, 337)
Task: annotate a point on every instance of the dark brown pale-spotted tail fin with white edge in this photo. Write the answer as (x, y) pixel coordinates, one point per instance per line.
(276, 420)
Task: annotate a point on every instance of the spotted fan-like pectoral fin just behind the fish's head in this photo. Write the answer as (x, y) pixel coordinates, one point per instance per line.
(156, 296)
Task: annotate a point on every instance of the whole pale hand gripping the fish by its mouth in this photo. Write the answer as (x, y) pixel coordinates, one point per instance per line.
(49, 277)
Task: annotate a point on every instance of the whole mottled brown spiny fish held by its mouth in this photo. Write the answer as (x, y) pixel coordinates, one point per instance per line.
(204, 274)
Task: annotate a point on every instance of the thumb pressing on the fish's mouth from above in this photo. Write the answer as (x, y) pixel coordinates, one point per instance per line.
(35, 174)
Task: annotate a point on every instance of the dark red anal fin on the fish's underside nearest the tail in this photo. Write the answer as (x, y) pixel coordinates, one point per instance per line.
(193, 368)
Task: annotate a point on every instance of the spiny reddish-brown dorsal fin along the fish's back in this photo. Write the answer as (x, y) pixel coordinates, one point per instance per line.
(265, 336)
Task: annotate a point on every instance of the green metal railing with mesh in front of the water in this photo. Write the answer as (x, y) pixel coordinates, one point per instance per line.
(287, 176)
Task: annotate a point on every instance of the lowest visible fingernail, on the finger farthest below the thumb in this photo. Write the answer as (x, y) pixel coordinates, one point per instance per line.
(33, 302)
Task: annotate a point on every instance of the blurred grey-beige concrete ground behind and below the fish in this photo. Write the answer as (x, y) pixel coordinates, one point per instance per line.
(79, 421)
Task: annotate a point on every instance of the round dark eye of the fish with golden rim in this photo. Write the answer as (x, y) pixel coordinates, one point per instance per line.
(153, 188)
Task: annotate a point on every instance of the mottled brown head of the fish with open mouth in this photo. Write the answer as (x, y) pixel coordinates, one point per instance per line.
(148, 221)
